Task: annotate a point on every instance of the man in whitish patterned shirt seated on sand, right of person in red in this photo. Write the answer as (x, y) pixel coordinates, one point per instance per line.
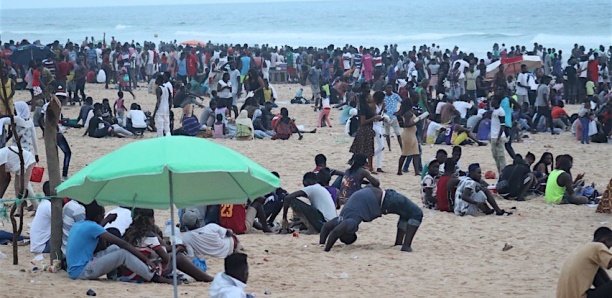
(471, 197)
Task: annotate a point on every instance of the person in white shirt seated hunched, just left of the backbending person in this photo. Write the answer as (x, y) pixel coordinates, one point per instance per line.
(320, 210)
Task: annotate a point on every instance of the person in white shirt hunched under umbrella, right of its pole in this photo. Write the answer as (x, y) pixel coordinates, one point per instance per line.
(209, 240)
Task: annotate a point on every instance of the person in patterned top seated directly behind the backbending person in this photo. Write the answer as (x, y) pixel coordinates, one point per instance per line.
(353, 178)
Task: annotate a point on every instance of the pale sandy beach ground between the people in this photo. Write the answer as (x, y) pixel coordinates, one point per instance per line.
(453, 256)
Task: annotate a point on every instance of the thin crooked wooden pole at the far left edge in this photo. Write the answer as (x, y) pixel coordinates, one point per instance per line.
(17, 228)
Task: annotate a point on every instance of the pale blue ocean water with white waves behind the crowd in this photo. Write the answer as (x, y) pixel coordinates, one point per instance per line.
(473, 25)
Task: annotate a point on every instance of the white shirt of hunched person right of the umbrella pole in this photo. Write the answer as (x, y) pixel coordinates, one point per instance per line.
(210, 240)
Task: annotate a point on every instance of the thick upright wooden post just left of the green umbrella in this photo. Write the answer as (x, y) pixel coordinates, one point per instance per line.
(52, 116)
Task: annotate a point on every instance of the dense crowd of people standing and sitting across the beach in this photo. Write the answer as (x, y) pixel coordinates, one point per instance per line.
(423, 96)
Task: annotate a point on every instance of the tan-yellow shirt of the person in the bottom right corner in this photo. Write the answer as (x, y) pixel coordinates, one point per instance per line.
(580, 268)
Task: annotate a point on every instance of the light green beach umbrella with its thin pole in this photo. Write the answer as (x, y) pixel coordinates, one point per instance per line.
(163, 172)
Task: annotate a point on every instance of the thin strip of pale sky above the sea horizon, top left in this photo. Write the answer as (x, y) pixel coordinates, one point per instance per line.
(12, 4)
